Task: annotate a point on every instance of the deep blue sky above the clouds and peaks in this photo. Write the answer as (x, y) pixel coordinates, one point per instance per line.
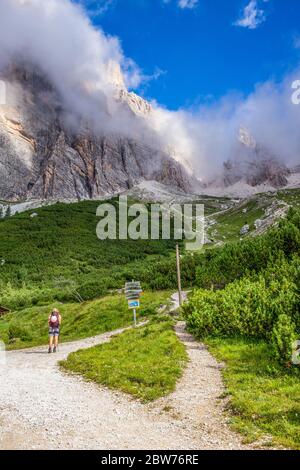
(202, 50)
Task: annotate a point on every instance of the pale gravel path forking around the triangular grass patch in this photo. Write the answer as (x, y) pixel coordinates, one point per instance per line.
(43, 408)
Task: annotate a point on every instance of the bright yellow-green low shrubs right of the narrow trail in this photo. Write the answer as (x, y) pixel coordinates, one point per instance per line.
(264, 306)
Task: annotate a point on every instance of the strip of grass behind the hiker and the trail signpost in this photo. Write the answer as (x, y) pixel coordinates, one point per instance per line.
(29, 327)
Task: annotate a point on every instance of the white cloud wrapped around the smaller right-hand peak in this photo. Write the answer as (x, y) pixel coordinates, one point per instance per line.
(208, 136)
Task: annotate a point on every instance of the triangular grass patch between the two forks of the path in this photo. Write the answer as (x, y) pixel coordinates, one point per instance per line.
(145, 362)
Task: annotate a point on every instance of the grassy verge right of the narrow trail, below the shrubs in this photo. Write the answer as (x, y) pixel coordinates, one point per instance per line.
(265, 398)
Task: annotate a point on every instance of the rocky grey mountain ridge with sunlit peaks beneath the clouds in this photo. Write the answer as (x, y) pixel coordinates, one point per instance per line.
(47, 153)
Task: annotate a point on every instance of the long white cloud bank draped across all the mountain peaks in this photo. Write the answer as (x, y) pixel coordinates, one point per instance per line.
(59, 37)
